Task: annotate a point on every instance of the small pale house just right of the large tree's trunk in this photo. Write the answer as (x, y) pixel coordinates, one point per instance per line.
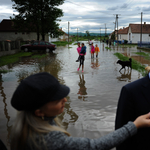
(63, 37)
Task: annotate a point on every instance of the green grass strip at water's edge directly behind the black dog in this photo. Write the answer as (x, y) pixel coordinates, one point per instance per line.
(135, 64)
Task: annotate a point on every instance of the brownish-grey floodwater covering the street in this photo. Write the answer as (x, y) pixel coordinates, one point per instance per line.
(91, 107)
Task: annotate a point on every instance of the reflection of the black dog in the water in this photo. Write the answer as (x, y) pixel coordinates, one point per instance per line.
(126, 76)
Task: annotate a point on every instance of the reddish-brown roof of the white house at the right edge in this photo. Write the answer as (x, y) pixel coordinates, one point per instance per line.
(136, 28)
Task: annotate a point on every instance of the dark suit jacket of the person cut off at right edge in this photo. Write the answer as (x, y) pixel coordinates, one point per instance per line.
(134, 101)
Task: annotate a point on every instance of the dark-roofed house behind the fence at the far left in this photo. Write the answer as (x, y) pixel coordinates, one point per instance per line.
(8, 32)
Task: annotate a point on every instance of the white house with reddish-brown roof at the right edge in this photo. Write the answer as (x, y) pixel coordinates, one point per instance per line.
(135, 32)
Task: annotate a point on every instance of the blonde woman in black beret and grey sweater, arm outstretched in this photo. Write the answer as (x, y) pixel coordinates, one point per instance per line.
(39, 99)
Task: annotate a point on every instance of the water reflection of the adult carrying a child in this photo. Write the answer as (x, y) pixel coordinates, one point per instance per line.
(82, 88)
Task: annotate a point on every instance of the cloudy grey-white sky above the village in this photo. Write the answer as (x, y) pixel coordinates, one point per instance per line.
(92, 15)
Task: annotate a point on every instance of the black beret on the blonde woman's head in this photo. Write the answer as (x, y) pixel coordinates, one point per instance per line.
(37, 90)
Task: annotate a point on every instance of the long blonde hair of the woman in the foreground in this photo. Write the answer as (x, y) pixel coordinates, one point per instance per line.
(28, 127)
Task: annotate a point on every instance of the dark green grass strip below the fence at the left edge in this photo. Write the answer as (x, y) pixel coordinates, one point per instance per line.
(9, 59)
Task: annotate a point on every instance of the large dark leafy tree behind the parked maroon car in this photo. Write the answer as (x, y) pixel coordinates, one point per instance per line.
(38, 15)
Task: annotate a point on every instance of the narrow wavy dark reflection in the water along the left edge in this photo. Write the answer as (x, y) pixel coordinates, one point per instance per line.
(5, 110)
